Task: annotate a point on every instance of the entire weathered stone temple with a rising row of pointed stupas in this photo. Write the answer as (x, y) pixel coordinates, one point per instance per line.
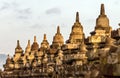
(97, 56)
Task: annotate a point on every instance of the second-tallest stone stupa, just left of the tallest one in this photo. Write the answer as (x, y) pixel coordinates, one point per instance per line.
(77, 34)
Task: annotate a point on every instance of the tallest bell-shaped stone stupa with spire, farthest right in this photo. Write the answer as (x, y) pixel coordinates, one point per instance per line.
(102, 22)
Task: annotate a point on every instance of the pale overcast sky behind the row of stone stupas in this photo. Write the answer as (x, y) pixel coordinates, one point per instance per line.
(22, 19)
